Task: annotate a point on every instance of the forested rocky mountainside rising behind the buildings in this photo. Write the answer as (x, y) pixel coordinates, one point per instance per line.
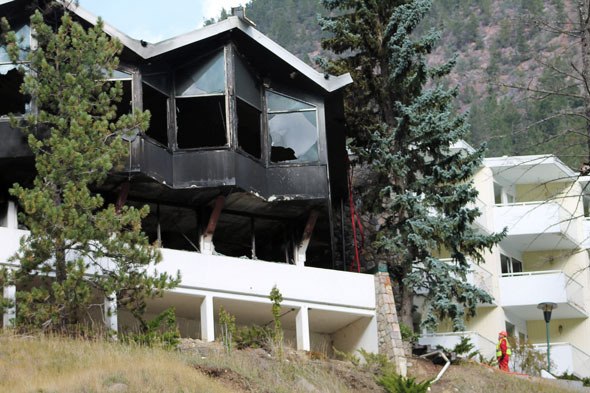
(496, 44)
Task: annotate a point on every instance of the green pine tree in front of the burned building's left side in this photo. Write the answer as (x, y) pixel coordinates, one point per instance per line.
(79, 250)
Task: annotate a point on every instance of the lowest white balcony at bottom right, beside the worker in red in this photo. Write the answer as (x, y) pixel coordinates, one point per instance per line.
(566, 357)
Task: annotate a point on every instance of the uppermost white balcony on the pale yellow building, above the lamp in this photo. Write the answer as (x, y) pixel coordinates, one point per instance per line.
(536, 226)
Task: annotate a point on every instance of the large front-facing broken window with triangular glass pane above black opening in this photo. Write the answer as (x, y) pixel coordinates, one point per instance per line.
(200, 103)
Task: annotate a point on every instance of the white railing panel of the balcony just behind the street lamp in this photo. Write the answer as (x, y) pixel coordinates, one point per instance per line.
(557, 285)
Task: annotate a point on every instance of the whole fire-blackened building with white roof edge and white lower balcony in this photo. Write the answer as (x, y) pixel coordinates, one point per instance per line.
(243, 167)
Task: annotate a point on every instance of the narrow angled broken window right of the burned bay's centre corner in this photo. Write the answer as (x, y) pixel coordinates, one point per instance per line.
(248, 110)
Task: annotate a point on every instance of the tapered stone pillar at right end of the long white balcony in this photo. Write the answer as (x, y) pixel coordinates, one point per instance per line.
(388, 331)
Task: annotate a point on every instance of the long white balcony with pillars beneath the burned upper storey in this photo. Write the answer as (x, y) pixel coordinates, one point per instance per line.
(318, 303)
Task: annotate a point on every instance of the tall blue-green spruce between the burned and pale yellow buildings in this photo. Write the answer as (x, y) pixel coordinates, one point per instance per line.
(403, 125)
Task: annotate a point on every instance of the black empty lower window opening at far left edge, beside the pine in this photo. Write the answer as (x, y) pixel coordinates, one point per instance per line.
(10, 96)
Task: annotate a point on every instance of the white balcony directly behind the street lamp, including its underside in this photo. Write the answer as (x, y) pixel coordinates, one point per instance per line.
(522, 292)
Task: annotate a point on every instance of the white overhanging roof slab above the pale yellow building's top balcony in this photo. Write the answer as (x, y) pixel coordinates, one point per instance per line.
(530, 169)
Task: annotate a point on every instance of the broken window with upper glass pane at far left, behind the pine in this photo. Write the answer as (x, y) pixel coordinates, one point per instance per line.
(11, 78)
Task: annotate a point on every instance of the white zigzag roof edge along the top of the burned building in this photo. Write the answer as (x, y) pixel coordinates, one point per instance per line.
(330, 84)
